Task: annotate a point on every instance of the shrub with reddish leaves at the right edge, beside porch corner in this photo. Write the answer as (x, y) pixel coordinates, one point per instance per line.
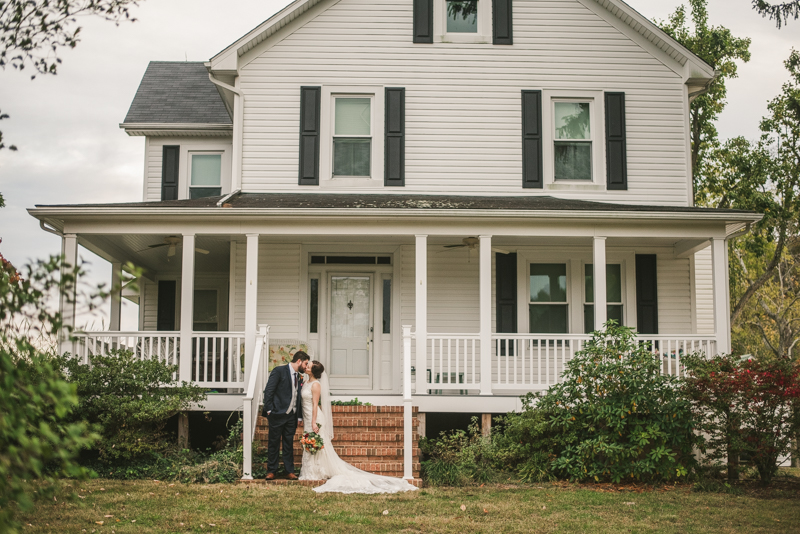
(745, 408)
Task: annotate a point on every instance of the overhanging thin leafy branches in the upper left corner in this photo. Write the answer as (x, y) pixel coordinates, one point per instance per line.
(33, 31)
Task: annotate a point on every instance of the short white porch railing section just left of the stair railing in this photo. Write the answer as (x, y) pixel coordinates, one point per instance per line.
(218, 359)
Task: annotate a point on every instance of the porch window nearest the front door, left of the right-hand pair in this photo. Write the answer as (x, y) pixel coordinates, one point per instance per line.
(548, 309)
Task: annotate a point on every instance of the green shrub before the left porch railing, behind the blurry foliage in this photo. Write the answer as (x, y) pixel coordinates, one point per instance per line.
(129, 400)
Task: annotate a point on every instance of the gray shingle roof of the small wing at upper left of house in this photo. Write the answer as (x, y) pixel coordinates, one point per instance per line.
(175, 92)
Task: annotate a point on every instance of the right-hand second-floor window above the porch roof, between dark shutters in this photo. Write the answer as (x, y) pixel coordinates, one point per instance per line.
(572, 139)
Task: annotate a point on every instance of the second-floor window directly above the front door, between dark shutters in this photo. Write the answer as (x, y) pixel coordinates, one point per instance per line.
(352, 136)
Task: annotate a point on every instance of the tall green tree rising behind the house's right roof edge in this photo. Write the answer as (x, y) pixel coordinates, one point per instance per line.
(717, 46)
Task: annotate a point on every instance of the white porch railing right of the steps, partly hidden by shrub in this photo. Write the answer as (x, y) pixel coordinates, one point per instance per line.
(532, 362)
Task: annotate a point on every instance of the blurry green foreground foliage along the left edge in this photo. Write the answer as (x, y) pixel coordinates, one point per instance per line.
(38, 443)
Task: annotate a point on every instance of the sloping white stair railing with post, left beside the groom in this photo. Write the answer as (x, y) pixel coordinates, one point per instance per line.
(256, 381)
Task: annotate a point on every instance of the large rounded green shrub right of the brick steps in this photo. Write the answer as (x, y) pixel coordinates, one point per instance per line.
(614, 416)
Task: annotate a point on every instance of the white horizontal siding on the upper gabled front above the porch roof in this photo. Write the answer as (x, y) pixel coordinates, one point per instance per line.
(463, 101)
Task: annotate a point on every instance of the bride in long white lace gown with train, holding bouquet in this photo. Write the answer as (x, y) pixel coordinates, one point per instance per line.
(325, 464)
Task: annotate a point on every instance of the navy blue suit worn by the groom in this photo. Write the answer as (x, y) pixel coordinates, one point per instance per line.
(282, 426)
